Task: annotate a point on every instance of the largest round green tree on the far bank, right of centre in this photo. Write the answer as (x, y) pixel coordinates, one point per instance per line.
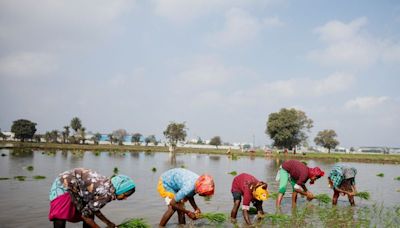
(288, 127)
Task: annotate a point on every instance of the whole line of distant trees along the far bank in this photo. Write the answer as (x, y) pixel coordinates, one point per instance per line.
(287, 129)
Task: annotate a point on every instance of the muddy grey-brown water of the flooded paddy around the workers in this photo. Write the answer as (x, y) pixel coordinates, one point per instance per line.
(25, 203)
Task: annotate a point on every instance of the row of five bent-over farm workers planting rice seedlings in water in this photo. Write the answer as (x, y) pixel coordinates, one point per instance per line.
(79, 194)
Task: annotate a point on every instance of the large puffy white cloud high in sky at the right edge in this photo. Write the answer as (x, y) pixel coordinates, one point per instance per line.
(349, 45)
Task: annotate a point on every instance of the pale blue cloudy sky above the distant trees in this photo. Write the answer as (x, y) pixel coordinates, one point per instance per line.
(220, 66)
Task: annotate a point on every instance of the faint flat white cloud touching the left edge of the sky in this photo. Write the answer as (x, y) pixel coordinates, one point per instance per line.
(27, 65)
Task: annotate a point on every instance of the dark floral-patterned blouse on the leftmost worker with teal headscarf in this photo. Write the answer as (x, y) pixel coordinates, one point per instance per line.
(89, 190)
